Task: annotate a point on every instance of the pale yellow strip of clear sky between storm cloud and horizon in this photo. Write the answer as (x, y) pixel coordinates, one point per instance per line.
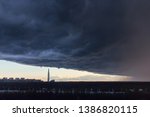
(11, 69)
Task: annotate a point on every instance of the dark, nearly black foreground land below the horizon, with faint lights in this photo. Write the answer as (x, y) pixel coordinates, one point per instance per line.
(75, 90)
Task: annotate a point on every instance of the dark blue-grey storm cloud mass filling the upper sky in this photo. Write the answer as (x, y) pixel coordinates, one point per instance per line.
(104, 36)
